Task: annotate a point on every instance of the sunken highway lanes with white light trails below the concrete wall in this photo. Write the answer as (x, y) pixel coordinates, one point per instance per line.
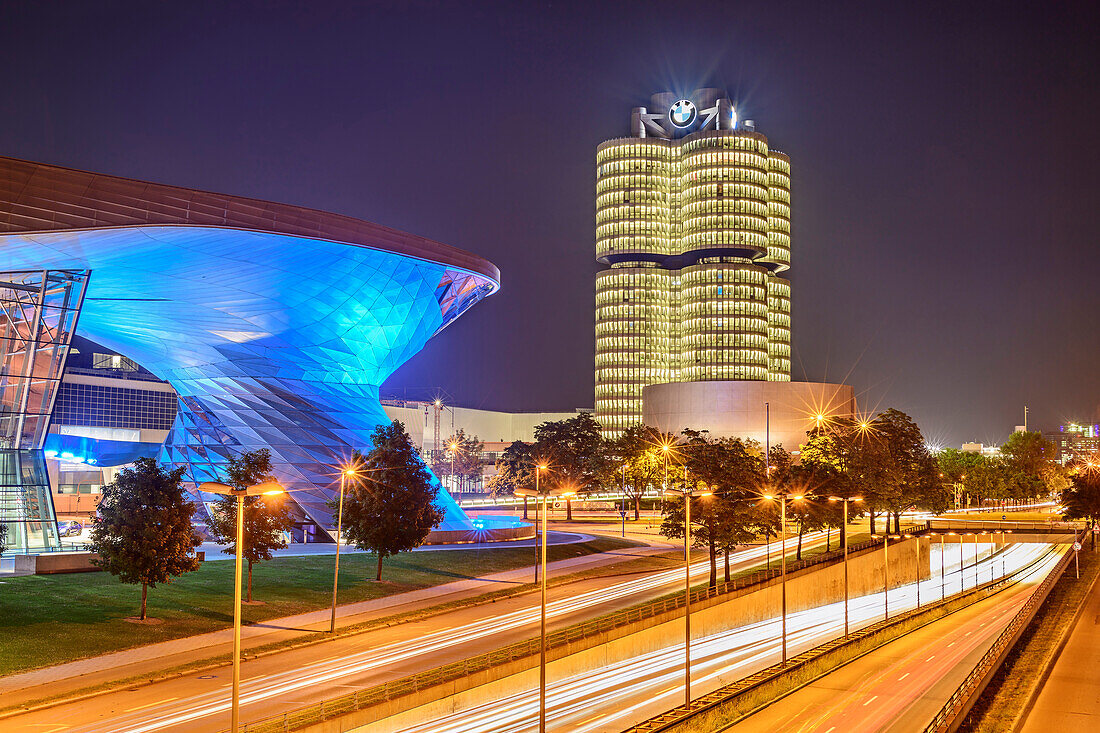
(619, 696)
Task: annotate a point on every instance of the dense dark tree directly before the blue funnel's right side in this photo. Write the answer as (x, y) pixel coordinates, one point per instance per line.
(390, 507)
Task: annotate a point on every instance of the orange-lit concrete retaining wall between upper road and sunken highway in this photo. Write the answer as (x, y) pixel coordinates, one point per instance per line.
(811, 588)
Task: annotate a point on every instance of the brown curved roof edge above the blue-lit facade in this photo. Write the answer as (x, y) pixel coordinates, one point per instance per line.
(45, 198)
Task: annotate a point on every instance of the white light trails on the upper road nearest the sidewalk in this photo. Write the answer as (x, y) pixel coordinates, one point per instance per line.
(328, 673)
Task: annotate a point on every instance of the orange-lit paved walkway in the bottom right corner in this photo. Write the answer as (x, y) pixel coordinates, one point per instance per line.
(1071, 697)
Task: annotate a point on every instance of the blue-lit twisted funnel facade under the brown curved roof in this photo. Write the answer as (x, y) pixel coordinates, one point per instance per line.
(270, 341)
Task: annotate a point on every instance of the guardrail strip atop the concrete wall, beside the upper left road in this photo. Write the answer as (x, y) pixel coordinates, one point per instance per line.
(394, 690)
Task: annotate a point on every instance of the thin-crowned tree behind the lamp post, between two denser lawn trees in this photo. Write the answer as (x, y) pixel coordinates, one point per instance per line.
(267, 519)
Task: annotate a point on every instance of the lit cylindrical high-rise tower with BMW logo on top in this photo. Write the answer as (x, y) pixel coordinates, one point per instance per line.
(694, 224)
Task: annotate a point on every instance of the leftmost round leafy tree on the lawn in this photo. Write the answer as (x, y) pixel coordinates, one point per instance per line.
(142, 532)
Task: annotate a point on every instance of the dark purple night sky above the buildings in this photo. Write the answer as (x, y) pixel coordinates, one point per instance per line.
(945, 166)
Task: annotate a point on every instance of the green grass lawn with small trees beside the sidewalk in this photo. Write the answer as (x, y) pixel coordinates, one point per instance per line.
(49, 620)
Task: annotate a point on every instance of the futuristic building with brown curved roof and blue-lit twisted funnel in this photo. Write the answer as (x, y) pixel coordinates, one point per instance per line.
(274, 324)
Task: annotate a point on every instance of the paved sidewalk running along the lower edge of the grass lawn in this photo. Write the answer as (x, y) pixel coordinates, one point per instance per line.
(156, 659)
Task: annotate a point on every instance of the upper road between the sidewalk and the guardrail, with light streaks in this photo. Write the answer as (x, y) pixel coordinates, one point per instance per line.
(289, 681)
